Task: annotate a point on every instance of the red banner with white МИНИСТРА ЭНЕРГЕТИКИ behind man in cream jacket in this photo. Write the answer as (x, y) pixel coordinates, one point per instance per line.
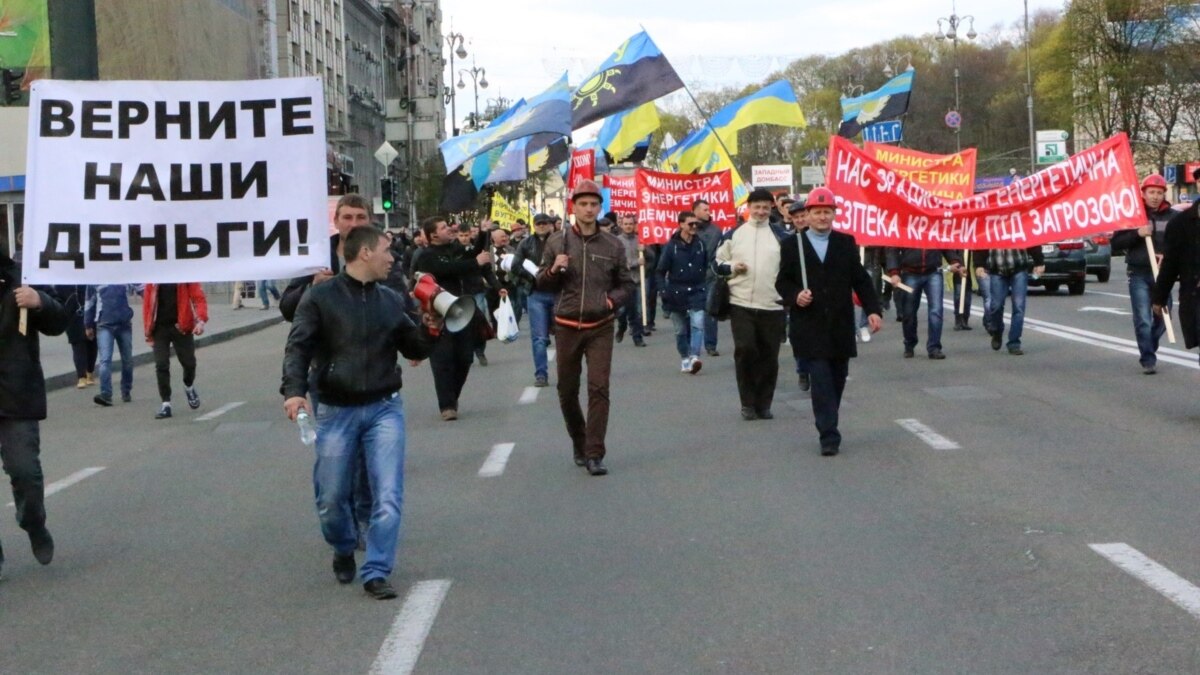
(662, 198)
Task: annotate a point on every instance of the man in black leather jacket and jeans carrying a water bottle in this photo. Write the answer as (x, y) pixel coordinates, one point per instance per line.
(350, 330)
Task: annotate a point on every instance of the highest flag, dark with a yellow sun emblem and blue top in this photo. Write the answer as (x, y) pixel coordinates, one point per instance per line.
(635, 74)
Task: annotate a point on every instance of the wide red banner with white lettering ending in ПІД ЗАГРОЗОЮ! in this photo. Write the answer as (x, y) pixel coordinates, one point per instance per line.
(1094, 192)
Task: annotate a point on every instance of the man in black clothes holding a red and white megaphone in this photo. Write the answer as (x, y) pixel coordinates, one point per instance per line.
(455, 271)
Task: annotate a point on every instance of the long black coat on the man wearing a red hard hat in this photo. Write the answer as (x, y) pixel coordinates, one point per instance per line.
(826, 328)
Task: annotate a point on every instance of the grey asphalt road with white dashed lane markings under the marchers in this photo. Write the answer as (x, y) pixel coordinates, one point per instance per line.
(716, 546)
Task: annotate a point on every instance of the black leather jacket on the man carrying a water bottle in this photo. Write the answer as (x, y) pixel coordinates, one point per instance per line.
(351, 332)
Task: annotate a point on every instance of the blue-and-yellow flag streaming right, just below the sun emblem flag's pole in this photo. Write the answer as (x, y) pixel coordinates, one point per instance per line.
(775, 104)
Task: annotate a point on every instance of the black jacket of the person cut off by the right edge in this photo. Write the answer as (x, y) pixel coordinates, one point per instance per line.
(1181, 264)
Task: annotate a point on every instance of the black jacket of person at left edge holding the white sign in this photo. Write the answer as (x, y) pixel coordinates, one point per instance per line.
(22, 383)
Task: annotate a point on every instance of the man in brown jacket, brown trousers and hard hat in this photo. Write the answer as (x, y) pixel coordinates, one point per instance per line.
(586, 267)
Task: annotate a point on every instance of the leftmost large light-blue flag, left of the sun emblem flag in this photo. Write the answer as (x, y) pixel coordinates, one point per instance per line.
(550, 112)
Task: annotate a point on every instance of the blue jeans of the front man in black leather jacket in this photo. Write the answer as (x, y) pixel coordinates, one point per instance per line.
(377, 432)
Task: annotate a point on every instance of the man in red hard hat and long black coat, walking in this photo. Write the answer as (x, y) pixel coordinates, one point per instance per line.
(818, 290)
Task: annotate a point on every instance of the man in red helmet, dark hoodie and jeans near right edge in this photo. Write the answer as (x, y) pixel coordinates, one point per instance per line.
(1148, 328)
